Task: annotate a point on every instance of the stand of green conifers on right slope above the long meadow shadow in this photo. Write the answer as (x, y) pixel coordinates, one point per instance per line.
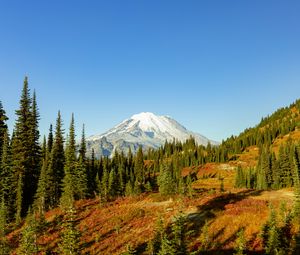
(272, 171)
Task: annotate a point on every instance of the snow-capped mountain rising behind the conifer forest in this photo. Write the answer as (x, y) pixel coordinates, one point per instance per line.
(145, 129)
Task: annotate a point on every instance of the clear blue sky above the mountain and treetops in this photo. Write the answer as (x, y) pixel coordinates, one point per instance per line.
(216, 67)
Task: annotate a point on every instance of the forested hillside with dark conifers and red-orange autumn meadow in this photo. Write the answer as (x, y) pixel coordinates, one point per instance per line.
(55, 200)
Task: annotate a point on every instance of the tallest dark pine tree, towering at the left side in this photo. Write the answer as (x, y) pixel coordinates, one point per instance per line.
(25, 147)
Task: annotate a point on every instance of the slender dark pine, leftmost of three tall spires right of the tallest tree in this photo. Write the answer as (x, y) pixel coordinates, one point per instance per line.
(56, 164)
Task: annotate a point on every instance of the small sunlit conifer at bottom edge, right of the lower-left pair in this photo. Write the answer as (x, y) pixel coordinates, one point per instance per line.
(70, 237)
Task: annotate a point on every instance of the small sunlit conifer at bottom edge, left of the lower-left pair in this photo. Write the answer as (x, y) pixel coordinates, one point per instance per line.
(28, 244)
